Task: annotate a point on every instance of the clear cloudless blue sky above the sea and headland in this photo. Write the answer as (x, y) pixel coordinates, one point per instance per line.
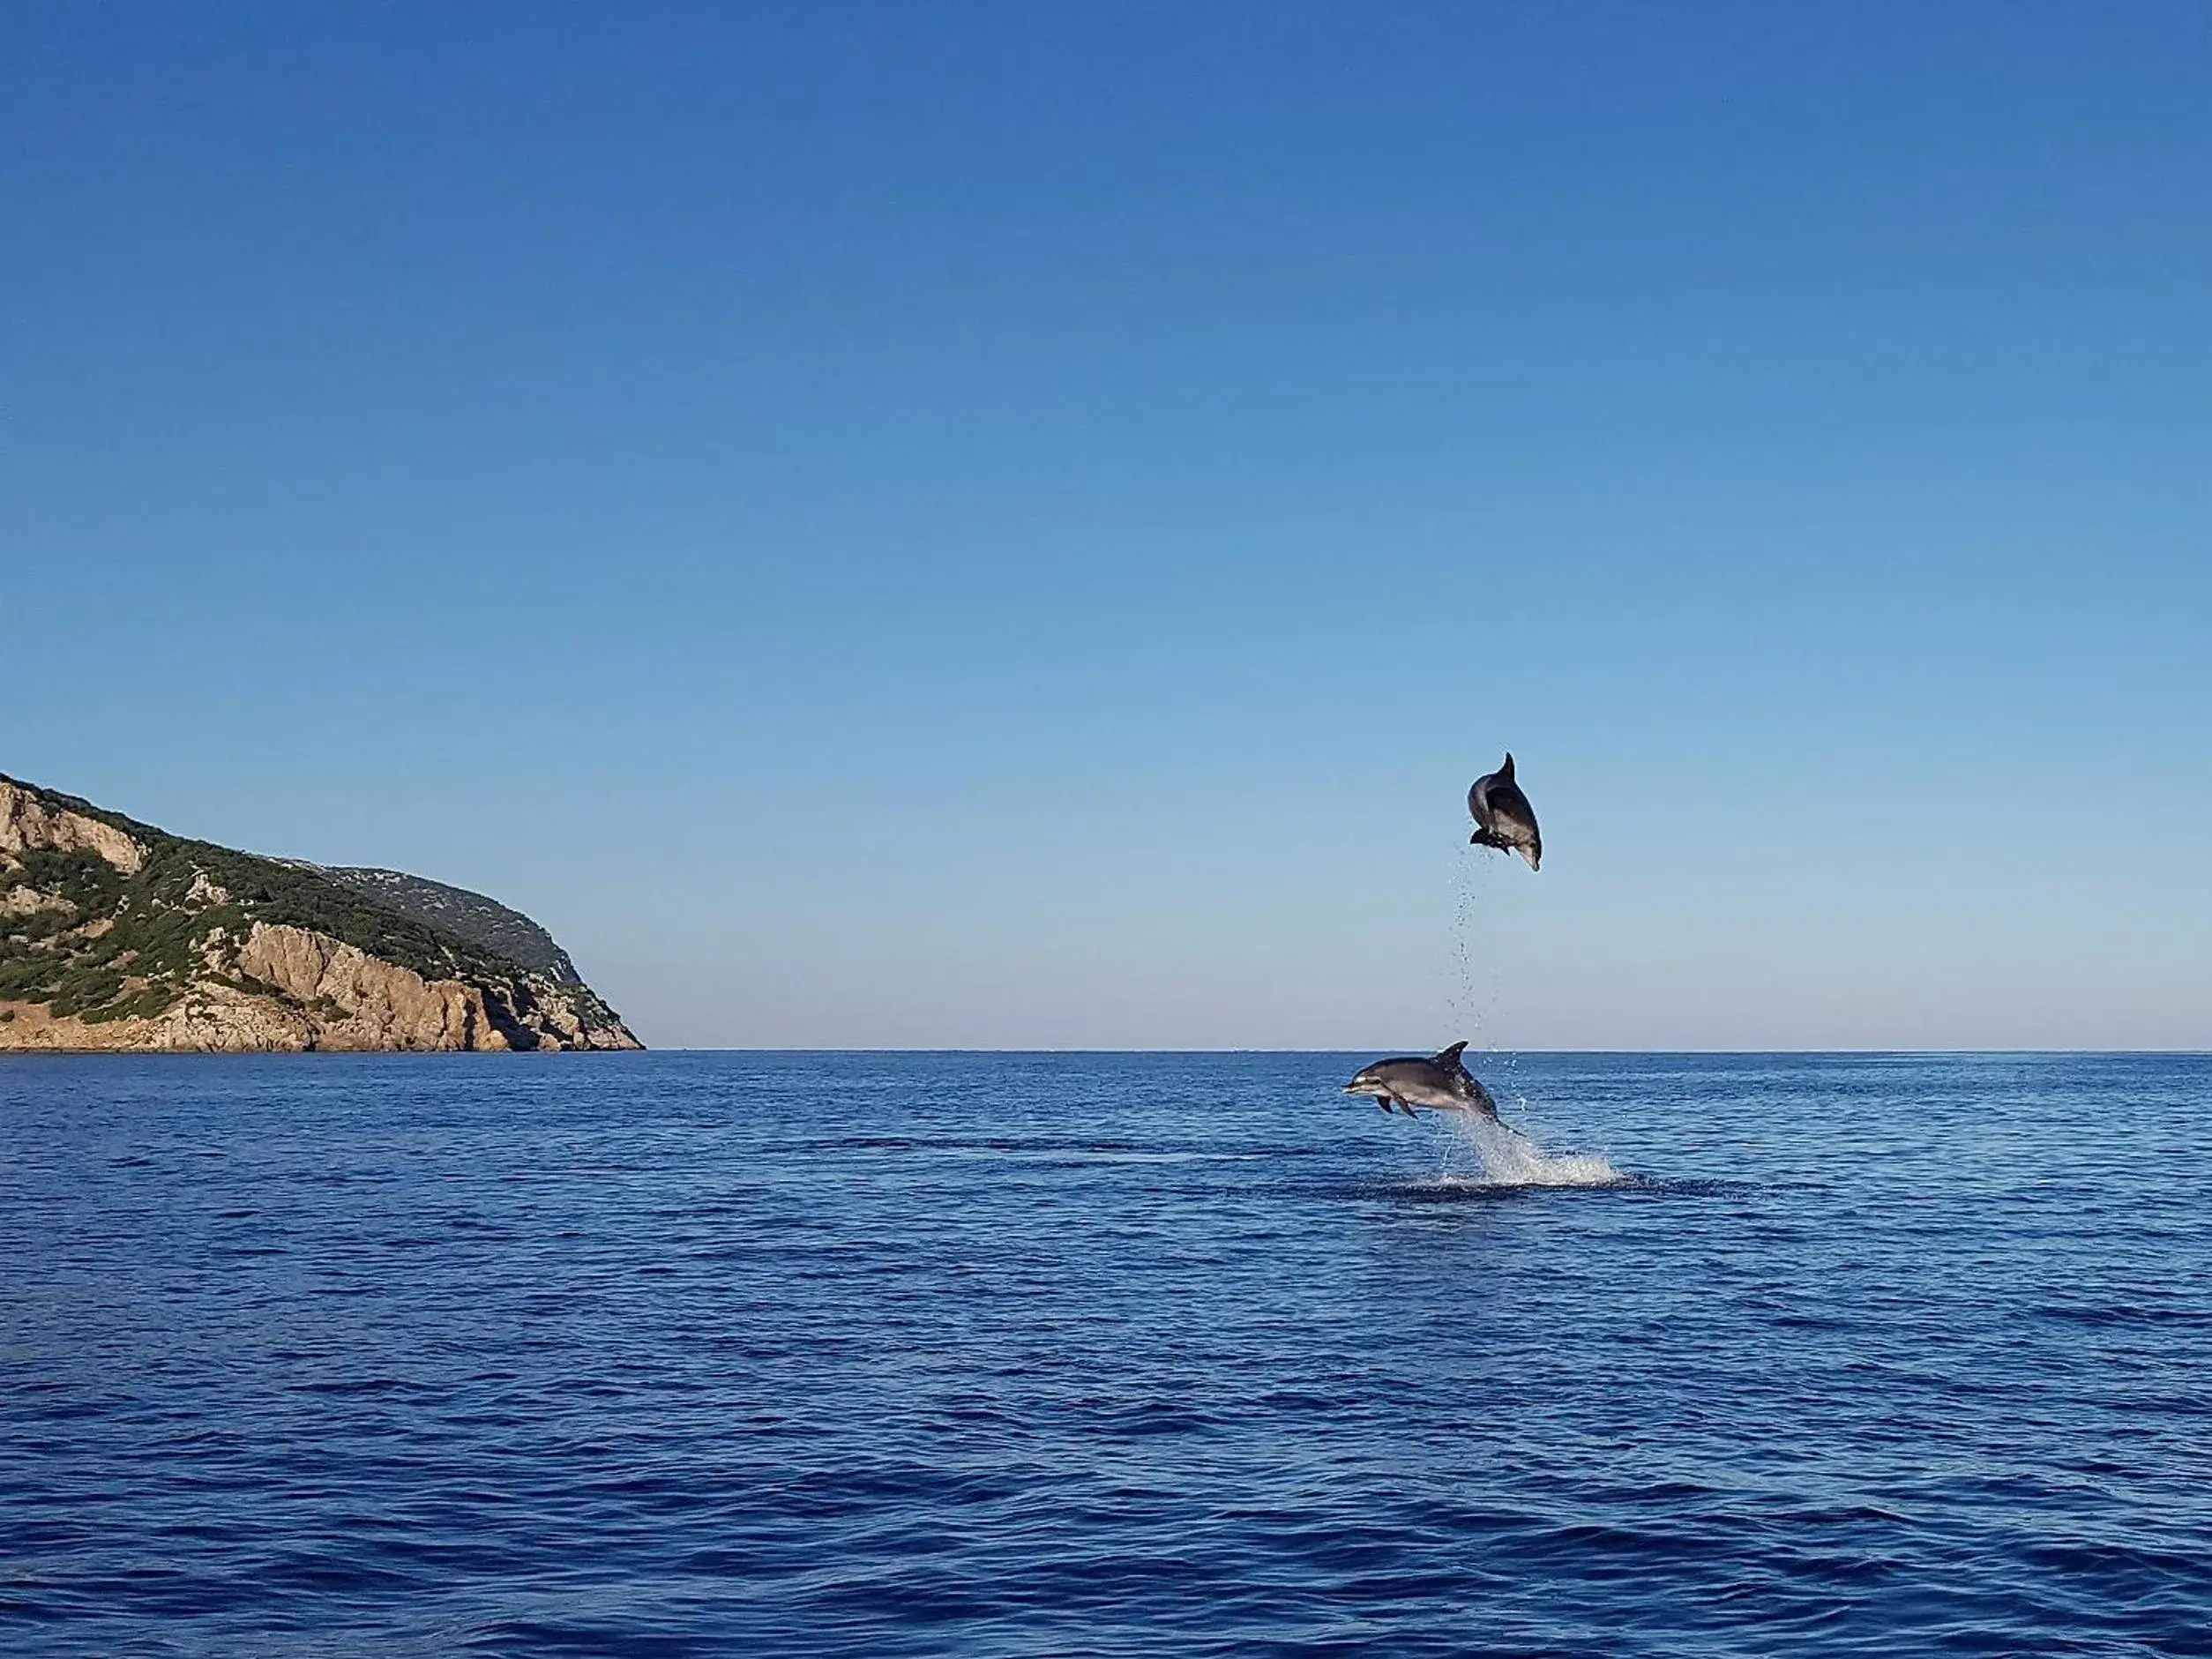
(1016, 525)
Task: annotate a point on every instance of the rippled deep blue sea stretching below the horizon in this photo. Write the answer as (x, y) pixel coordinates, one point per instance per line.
(1100, 1355)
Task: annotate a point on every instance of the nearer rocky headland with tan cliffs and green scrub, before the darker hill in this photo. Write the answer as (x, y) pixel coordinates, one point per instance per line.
(116, 937)
